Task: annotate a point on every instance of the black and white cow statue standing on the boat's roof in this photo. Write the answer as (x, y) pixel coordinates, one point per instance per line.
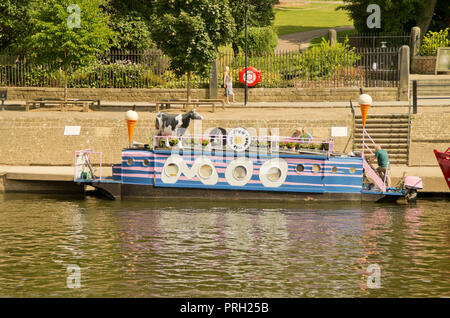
(173, 124)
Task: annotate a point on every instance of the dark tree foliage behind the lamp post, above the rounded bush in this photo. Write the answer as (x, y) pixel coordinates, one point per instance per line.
(260, 14)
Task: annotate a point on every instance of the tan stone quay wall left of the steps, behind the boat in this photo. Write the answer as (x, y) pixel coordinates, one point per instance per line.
(37, 138)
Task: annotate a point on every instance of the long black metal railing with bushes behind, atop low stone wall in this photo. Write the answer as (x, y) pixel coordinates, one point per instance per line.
(150, 69)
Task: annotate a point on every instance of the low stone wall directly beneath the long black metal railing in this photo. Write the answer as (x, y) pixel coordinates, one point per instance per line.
(152, 95)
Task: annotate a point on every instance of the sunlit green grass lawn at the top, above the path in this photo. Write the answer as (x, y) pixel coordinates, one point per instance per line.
(311, 16)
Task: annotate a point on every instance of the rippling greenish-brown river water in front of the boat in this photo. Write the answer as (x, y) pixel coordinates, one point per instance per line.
(68, 247)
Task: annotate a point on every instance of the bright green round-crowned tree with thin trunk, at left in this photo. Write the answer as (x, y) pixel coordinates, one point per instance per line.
(69, 37)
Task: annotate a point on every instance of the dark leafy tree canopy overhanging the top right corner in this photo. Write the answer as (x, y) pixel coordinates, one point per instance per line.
(396, 16)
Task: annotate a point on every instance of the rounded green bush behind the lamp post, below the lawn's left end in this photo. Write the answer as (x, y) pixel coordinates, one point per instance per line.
(259, 40)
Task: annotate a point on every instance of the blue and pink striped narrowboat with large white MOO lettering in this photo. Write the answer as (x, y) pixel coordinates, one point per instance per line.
(239, 166)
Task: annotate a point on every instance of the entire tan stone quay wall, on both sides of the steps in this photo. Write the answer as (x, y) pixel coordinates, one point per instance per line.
(37, 138)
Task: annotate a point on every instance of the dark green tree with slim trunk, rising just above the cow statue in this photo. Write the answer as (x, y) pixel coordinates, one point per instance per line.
(190, 32)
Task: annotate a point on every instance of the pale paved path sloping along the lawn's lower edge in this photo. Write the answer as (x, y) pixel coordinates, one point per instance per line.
(301, 40)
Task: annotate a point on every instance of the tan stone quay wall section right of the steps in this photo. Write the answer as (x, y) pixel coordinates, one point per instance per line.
(429, 131)
